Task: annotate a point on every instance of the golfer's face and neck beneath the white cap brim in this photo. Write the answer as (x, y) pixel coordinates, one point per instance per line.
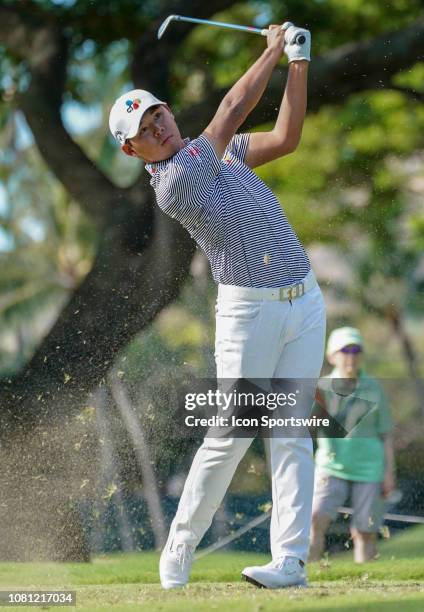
(158, 136)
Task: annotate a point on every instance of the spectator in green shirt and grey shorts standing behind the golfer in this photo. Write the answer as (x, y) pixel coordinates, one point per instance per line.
(359, 462)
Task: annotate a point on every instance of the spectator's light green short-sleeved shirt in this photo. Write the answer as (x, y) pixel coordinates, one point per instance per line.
(365, 416)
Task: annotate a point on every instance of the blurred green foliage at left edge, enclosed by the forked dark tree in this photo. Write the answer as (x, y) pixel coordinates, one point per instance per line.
(52, 249)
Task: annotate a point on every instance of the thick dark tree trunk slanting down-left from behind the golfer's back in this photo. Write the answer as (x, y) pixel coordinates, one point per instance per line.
(122, 293)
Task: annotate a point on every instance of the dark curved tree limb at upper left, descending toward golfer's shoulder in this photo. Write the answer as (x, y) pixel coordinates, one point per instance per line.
(43, 45)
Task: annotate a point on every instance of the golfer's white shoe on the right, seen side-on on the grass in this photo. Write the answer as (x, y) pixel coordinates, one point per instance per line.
(283, 572)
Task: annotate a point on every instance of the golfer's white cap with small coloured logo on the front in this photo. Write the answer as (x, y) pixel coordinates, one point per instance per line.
(127, 111)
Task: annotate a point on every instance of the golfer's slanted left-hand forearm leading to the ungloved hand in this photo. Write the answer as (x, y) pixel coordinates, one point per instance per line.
(248, 90)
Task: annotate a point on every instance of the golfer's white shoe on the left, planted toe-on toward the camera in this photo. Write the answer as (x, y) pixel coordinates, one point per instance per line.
(175, 564)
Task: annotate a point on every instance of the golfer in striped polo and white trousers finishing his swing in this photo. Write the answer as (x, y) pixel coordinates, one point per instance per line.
(270, 314)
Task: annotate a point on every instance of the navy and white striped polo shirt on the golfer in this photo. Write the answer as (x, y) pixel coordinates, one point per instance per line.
(231, 214)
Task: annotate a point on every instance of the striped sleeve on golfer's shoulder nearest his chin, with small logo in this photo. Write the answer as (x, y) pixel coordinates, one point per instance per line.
(187, 183)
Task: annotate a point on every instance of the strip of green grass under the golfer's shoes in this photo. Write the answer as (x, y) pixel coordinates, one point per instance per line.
(130, 581)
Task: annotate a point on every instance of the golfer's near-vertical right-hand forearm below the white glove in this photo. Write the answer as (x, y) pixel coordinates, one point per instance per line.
(292, 111)
